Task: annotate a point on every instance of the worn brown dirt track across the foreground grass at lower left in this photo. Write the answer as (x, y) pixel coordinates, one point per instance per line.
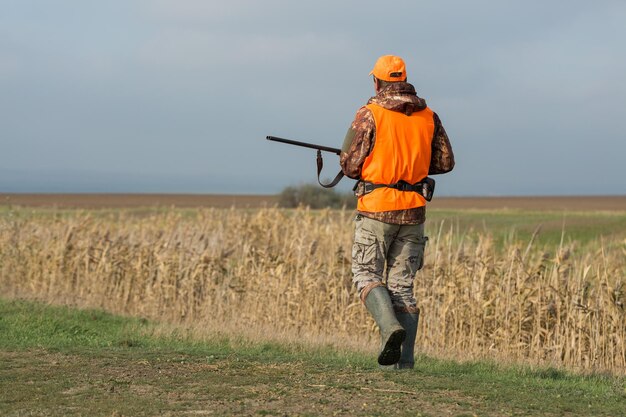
(117, 384)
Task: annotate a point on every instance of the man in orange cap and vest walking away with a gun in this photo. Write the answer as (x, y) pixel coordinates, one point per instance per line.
(394, 142)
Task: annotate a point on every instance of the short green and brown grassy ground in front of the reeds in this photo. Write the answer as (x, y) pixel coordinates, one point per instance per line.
(65, 361)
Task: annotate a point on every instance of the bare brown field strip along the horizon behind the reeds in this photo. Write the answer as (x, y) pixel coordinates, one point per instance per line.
(570, 203)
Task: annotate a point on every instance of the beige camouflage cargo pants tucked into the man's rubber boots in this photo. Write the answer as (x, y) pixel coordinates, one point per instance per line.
(388, 253)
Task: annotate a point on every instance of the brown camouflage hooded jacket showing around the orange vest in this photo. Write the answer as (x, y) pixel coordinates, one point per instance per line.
(361, 137)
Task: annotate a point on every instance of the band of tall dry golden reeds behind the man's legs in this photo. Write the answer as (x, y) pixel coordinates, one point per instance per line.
(289, 271)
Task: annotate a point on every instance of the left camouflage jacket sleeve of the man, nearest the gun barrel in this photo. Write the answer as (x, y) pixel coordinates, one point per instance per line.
(358, 143)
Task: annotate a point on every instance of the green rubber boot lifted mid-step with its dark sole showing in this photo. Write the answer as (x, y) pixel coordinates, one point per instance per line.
(392, 334)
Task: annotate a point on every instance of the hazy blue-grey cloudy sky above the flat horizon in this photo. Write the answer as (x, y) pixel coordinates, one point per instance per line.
(178, 96)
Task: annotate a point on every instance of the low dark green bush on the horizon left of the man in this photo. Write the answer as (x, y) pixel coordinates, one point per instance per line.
(315, 197)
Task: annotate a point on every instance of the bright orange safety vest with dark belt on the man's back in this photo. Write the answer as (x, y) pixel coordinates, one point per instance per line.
(401, 152)
